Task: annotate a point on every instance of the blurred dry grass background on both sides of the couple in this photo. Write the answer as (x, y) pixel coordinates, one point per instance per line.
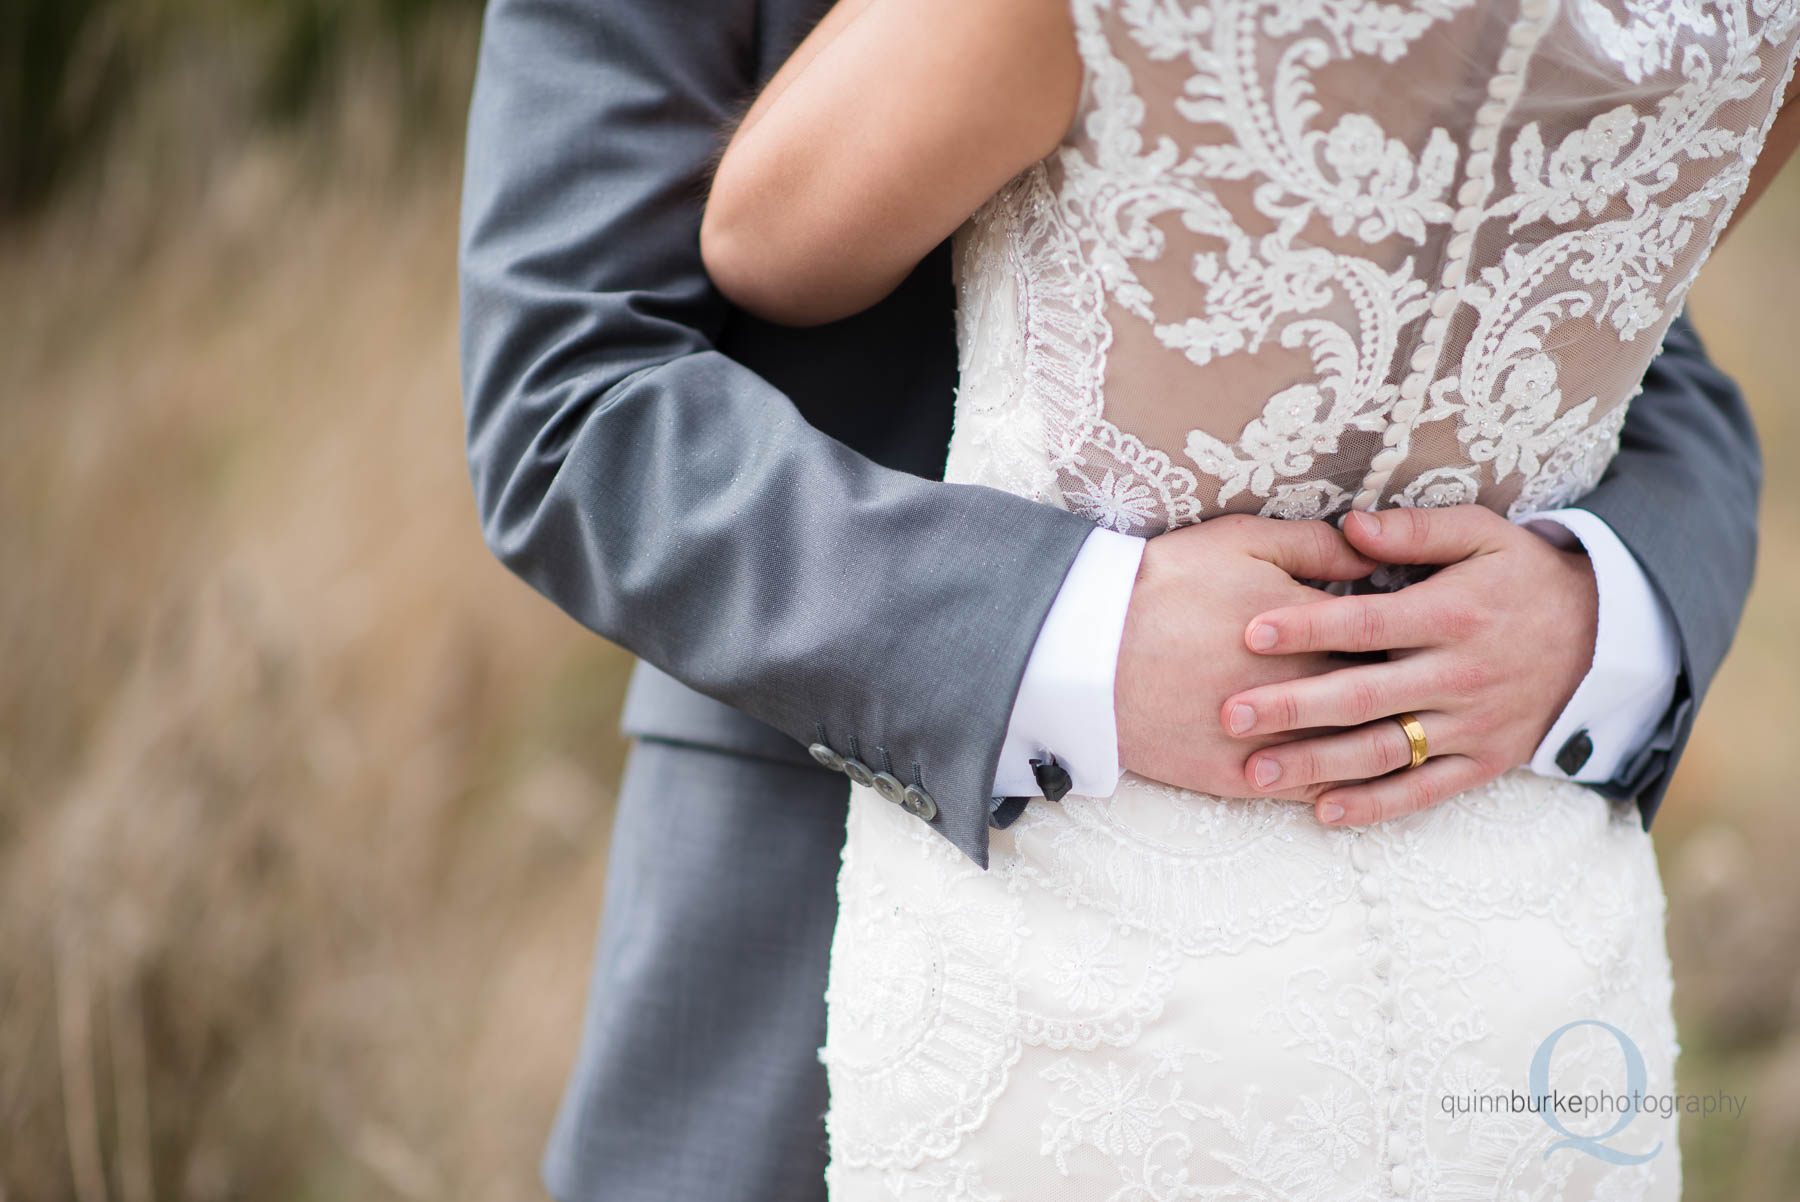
(303, 800)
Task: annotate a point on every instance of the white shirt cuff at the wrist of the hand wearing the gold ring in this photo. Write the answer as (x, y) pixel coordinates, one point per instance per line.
(1637, 658)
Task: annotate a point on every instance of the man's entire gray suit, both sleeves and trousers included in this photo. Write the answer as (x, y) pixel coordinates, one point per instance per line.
(755, 514)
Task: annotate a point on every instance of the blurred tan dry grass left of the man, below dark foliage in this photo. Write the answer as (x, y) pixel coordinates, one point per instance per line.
(303, 800)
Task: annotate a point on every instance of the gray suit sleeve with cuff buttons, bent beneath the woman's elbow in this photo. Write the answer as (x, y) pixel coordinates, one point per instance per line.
(663, 494)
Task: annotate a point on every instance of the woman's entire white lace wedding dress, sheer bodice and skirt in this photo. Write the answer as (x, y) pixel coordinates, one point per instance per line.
(1293, 258)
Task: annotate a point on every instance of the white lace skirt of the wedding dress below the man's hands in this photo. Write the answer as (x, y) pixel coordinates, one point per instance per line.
(1171, 998)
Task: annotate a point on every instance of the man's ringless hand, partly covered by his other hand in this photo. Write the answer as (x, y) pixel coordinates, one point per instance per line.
(1183, 649)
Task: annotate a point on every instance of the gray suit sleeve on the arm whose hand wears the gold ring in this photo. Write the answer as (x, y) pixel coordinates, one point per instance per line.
(1682, 496)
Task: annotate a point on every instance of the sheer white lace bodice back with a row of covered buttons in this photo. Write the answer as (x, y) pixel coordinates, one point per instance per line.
(1309, 255)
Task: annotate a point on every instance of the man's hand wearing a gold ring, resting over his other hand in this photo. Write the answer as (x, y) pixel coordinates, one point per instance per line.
(1486, 652)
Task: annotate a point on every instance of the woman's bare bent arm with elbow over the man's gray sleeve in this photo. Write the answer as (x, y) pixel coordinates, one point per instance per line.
(890, 125)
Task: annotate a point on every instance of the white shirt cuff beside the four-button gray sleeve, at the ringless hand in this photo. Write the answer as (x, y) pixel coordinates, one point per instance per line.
(1065, 704)
